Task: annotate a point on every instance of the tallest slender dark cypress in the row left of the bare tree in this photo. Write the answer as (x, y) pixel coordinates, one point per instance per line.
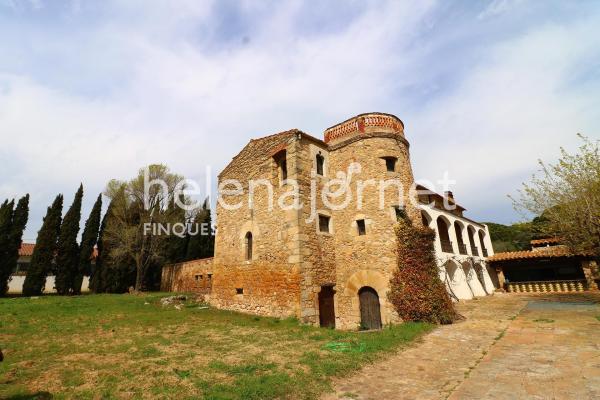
(67, 252)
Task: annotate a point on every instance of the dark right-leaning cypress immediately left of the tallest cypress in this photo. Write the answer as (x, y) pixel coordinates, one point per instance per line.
(43, 252)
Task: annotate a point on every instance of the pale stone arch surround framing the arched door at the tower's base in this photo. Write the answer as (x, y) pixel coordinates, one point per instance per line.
(380, 283)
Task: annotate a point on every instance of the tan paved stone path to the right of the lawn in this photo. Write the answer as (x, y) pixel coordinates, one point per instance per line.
(510, 346)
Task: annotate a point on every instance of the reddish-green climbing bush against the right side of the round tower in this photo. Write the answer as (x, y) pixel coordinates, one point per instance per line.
(416, 291)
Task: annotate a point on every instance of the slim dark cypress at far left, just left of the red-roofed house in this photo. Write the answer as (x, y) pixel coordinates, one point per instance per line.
(9, 262)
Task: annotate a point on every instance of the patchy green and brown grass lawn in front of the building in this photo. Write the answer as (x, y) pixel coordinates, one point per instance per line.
(127, 346)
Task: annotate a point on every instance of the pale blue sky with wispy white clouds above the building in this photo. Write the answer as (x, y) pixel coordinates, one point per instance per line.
(91, 91)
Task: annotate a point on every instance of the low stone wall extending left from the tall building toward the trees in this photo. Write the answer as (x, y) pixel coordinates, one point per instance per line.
(191, 276)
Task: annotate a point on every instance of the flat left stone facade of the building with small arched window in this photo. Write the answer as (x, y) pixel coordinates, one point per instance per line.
(267, 284)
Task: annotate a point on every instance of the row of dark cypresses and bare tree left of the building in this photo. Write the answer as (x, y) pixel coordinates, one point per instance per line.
(126, 255)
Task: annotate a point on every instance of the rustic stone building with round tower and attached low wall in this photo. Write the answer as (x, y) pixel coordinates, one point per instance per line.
(305, 227)
